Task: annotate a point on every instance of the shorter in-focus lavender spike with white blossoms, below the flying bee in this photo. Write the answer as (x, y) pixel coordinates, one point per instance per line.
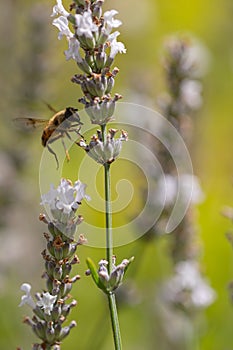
(51, 307)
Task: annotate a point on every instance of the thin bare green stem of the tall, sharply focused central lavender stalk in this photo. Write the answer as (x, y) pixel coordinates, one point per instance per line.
(109, 249)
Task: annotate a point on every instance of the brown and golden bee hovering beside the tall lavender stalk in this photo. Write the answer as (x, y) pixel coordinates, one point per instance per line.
(55, 128)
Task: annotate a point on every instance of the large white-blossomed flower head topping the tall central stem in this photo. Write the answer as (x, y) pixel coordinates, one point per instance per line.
(93, 46)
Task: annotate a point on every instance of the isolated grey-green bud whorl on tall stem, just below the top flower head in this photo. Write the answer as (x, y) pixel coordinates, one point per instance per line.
(104, 151)
